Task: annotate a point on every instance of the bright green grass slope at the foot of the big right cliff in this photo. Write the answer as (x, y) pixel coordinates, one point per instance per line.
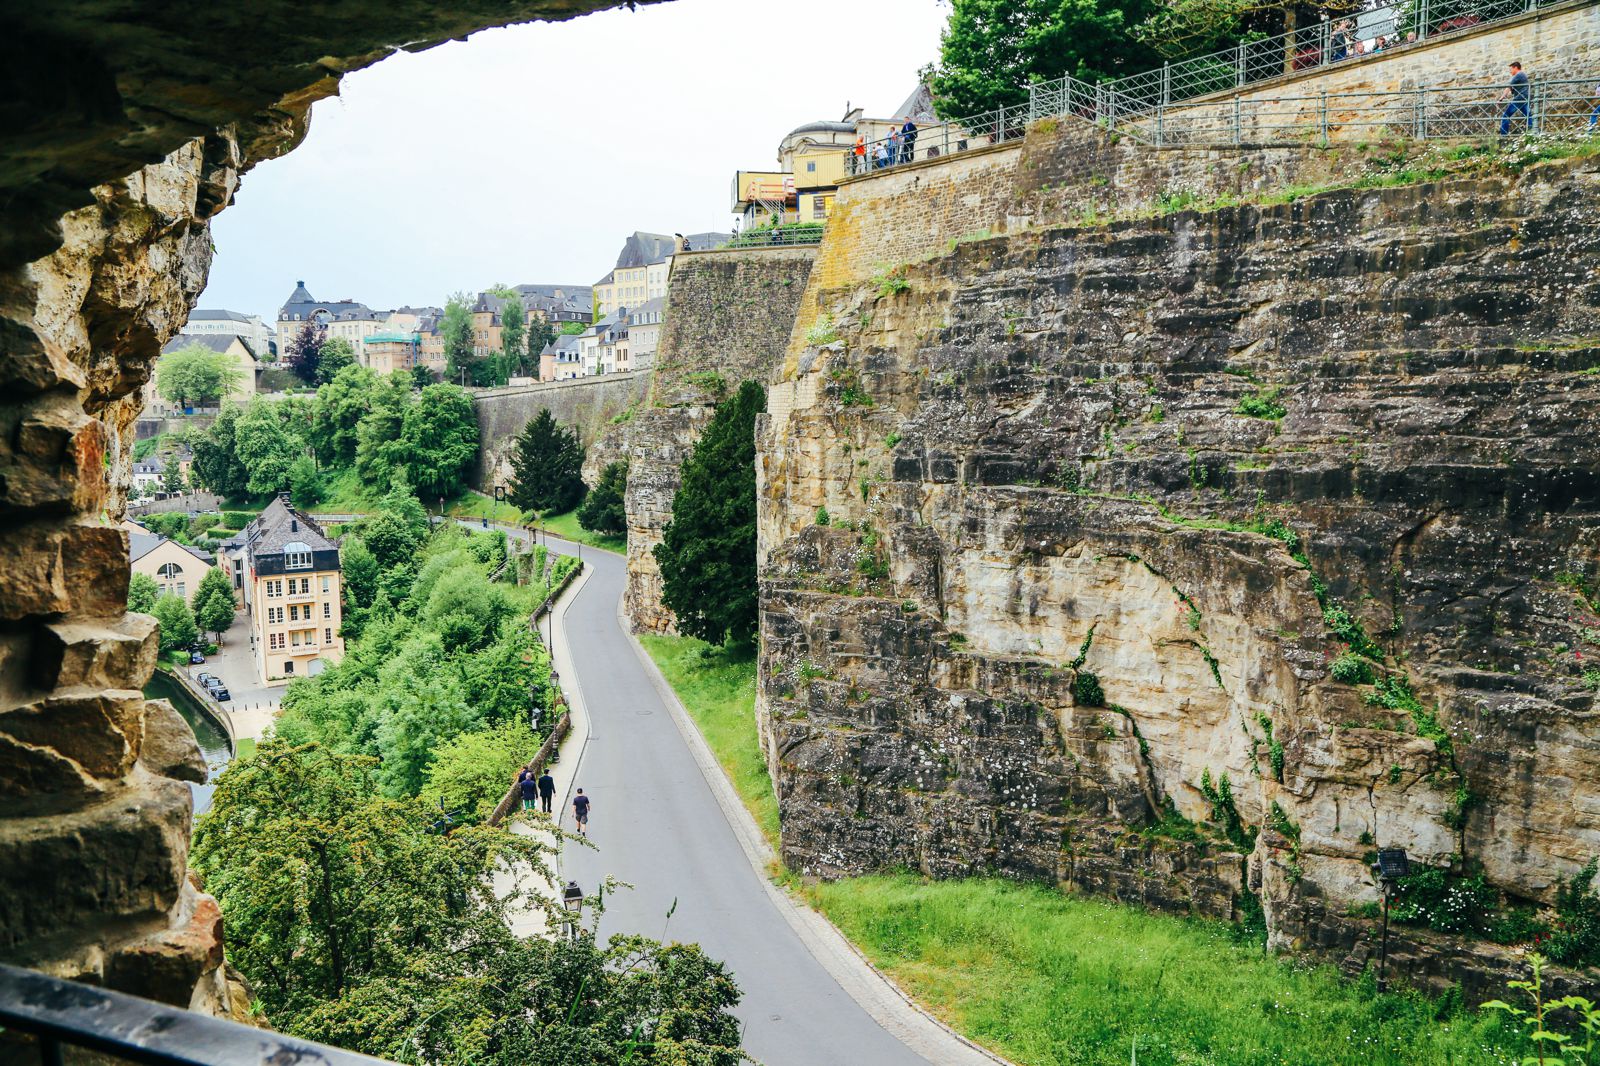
(1049, 979)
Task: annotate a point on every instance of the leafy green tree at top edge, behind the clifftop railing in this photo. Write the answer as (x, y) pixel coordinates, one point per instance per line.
(991, 50)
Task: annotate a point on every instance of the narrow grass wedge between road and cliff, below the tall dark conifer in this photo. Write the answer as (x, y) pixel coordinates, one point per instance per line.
(719, 694)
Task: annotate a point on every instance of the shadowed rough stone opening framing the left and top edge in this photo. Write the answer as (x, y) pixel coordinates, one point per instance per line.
(127, 132)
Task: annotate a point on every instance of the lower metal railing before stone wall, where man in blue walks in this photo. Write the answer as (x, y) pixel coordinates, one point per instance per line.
(1566, 106)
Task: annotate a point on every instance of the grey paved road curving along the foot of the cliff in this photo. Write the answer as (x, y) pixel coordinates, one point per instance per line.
(658, 828)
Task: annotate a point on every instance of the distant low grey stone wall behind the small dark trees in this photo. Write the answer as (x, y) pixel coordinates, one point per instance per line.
(585, 406)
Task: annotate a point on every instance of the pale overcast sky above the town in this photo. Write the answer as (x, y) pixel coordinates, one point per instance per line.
(530, 153)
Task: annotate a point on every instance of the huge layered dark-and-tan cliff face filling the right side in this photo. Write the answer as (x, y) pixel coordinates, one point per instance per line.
(1106, 505)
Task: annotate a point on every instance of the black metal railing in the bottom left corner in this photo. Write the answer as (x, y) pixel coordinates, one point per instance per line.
(65, 1014)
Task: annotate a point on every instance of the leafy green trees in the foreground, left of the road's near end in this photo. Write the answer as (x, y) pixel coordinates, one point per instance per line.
(362, 928)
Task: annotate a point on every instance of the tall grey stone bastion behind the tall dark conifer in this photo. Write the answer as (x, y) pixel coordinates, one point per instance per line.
(729, 319)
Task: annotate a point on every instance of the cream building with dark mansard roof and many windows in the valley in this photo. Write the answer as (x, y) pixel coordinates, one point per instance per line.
(295, 595)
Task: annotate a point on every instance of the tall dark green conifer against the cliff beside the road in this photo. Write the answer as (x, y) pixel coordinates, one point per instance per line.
(708, 550)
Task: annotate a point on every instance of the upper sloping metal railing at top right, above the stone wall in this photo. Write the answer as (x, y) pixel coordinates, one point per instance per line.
(1329, 42)
